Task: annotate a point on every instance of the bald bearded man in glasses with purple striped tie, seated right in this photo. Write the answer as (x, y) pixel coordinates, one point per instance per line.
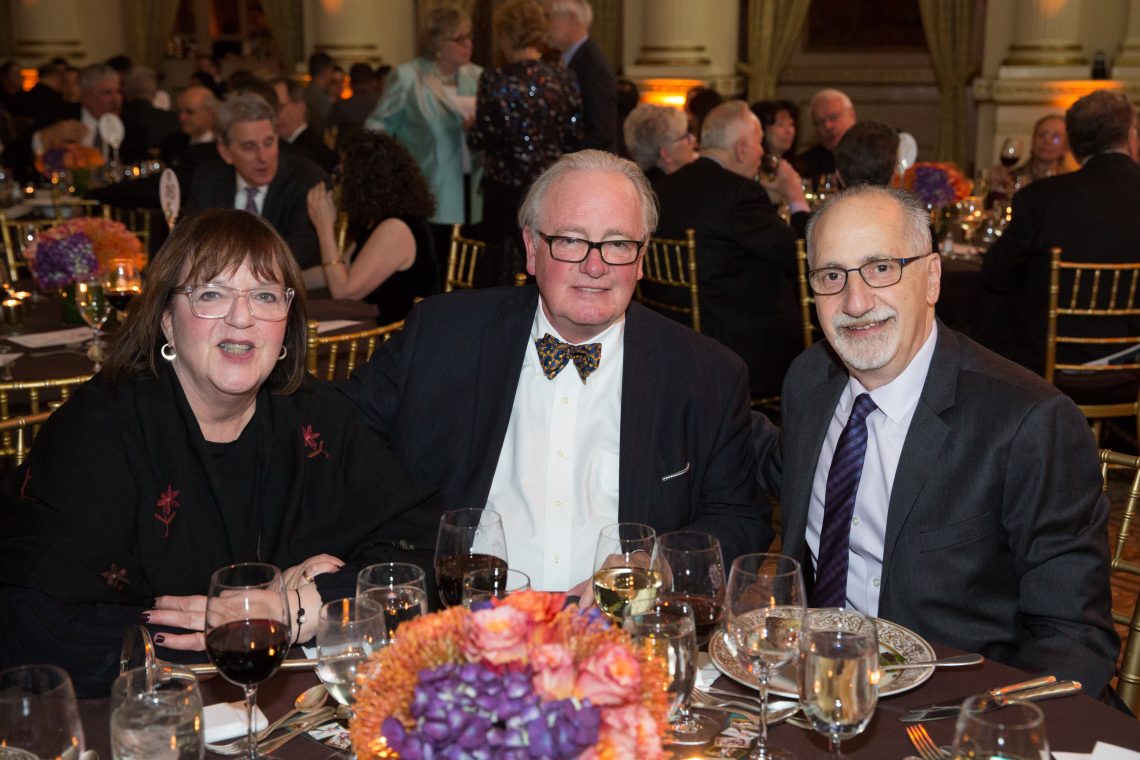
(926, 480)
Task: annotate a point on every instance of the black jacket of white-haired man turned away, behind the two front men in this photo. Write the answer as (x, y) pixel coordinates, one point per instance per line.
(746, 261)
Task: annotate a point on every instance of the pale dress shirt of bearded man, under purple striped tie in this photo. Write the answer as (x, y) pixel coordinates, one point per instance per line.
(886, 429)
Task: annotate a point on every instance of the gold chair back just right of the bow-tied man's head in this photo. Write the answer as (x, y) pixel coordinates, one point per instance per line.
(671, 271)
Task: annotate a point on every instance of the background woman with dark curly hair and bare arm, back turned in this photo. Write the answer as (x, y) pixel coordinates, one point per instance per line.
(388, 205)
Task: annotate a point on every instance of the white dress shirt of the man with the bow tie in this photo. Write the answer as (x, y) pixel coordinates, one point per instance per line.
(557, 481)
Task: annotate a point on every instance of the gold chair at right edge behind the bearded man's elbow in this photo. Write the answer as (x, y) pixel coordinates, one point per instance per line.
(1128, 673)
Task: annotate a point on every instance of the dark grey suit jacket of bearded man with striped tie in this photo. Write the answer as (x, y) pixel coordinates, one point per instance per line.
(997, 528)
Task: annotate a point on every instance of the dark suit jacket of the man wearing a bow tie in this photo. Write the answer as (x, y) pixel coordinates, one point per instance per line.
(442, 393)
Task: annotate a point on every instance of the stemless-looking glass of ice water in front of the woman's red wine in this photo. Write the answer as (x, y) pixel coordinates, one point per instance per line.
(157, 715)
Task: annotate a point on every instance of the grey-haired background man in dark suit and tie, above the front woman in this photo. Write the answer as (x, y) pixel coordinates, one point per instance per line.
(255, 176)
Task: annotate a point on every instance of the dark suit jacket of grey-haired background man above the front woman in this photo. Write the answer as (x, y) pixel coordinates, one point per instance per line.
(215, 186)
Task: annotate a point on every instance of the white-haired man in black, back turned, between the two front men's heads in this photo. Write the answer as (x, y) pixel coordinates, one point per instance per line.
(746, 255)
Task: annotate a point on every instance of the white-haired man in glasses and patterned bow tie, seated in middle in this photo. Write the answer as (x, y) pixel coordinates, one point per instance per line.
(649, 422)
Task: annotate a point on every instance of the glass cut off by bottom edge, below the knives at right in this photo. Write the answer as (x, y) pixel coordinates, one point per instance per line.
(1014, 732)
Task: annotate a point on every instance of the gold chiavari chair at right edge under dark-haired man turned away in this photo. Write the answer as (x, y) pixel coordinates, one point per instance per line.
(1094, 292)
